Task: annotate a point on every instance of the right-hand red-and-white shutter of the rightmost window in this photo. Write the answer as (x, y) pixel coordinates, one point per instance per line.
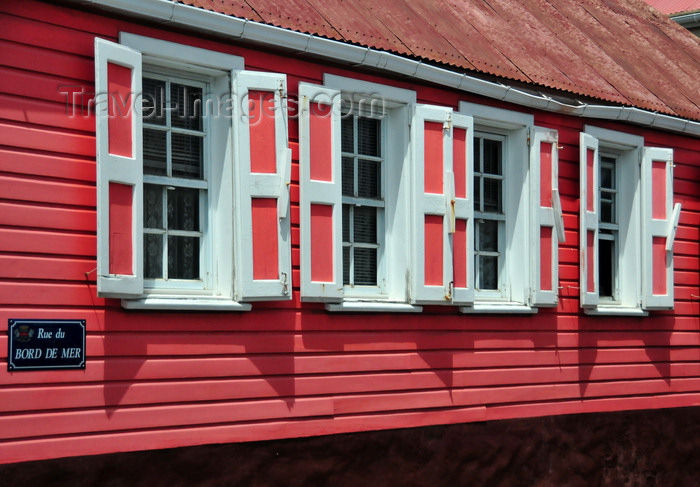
(660, 220)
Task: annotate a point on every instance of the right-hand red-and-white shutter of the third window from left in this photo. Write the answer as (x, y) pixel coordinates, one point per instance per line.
(547, 221)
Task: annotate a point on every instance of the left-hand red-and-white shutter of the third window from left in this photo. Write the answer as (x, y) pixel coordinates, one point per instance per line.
(462, 208)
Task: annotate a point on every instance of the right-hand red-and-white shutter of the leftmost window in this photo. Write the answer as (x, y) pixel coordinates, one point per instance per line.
(261, 225)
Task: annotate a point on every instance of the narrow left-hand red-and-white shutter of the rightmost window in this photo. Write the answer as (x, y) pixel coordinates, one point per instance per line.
(588, 235)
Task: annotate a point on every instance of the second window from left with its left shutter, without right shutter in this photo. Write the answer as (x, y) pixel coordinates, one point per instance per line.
(354, 195)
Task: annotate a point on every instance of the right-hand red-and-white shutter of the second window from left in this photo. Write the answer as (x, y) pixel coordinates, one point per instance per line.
(432, 269)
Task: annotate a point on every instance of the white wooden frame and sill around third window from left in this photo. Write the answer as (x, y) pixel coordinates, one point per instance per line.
(514, 296)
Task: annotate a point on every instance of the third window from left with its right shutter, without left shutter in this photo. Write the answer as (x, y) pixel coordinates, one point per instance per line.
(517, 214)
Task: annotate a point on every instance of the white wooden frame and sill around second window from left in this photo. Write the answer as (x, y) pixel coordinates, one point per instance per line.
(394, 259)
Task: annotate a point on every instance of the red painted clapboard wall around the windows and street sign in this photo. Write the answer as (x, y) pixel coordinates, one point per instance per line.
(158, 379)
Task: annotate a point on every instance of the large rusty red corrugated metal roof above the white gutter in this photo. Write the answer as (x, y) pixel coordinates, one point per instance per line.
(618, 51)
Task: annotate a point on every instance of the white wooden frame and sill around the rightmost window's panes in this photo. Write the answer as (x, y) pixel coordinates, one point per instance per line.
(628, 150)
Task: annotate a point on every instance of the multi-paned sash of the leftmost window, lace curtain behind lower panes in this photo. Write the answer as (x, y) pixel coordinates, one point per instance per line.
(175, 183)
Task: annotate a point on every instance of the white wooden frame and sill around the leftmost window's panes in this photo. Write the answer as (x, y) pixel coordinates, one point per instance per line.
(217, 69)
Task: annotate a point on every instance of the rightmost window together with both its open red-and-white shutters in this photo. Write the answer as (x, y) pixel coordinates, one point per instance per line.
(627, 224)
